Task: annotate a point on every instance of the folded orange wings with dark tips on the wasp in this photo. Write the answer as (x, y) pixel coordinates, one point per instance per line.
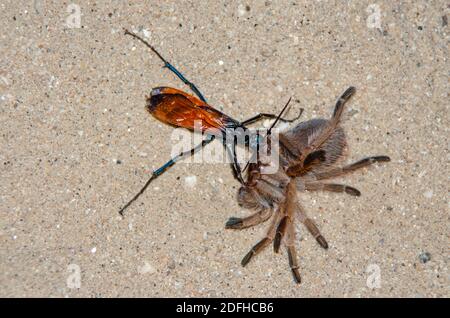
(180, 109)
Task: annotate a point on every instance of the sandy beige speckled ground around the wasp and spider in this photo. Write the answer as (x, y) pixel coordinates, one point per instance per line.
(77, 143)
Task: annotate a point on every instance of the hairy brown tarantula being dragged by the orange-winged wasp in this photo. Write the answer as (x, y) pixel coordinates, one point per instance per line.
(308, 155)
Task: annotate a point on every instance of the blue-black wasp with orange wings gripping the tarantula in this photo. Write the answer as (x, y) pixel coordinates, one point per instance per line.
(177, 108)
